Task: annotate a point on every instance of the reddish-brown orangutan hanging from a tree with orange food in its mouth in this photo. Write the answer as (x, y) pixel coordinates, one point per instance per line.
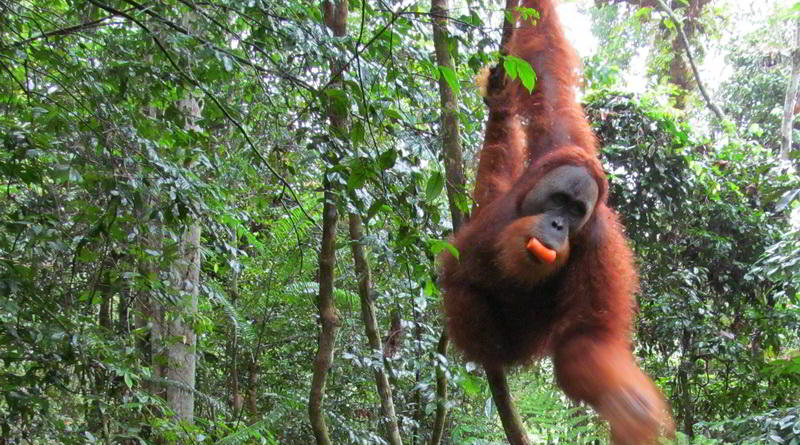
(543, 266)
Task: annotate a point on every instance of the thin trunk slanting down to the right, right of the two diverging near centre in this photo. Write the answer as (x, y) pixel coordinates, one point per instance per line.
(371, 326)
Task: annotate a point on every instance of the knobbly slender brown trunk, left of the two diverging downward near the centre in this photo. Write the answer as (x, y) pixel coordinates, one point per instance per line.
(328, 317)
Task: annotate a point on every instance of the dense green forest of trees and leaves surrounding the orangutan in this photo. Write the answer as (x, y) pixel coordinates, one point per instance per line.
(219, 220)
